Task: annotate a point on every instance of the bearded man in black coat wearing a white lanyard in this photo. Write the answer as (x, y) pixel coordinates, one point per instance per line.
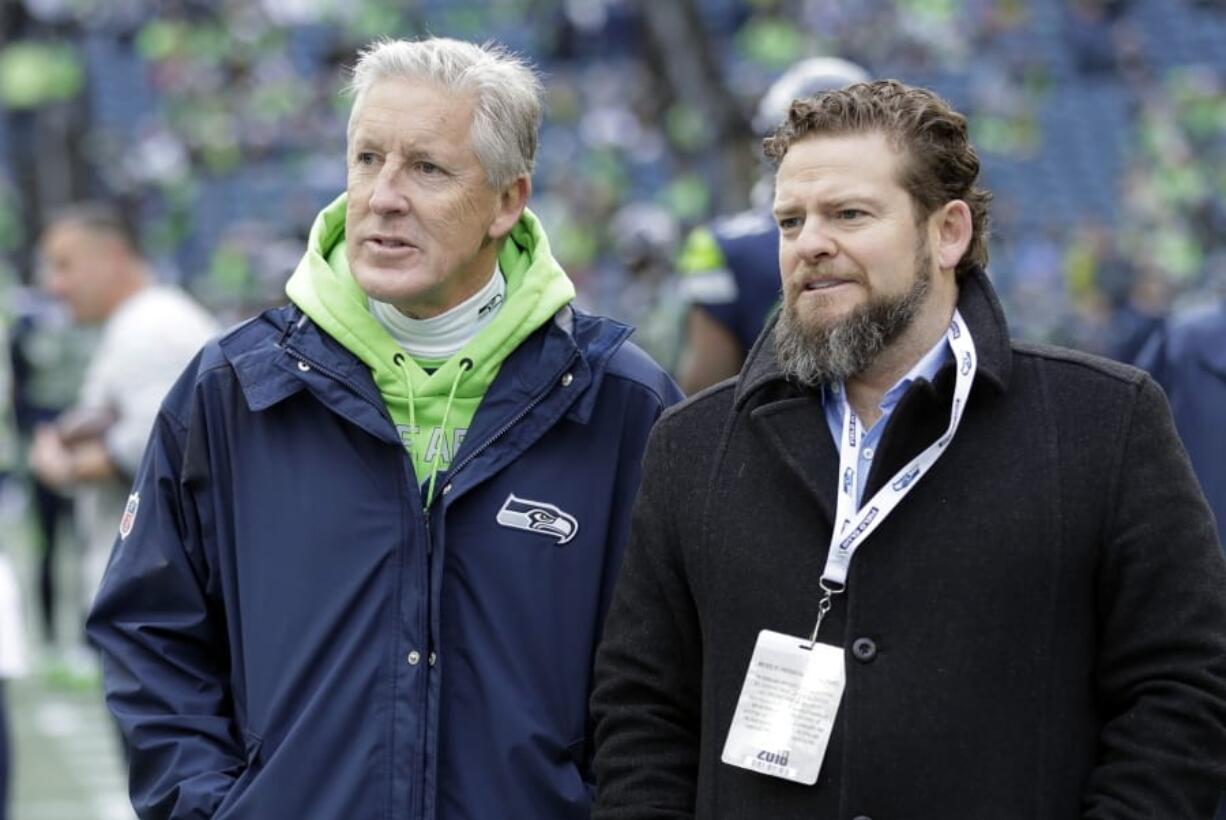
(903, 568)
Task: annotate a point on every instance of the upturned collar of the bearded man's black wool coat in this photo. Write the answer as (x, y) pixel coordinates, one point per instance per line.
(979, 306)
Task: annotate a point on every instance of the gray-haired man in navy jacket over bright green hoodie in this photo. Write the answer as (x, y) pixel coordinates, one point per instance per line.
(371, 547)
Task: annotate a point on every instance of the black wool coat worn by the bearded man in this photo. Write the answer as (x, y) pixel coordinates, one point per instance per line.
(1037, 633)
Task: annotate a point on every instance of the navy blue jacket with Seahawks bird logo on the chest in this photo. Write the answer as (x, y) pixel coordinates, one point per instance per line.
(287, 636)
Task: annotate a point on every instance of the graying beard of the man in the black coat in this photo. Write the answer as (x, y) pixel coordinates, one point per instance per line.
(817, 356)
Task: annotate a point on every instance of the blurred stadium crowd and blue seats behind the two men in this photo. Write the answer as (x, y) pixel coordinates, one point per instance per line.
(220, 126)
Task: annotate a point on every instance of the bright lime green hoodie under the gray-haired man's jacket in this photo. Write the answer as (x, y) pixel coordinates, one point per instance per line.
(432, 411)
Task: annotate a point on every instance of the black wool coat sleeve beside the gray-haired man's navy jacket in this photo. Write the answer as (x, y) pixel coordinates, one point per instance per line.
(647, 694)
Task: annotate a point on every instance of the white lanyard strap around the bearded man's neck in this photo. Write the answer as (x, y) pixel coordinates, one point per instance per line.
(854, 526)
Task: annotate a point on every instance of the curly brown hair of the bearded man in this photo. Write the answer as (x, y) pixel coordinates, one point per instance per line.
(939, 165)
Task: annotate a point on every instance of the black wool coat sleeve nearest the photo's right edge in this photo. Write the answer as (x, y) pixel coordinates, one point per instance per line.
(1162, 660)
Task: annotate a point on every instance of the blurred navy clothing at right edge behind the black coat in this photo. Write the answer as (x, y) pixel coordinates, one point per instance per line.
(1189, 359)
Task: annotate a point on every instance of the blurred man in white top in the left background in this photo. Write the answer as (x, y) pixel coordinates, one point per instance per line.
(149, 332)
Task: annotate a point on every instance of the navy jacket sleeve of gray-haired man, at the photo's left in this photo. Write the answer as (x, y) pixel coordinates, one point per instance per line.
(164, 650)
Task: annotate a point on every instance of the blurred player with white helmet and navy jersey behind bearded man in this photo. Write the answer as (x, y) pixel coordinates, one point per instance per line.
(730, 269)
